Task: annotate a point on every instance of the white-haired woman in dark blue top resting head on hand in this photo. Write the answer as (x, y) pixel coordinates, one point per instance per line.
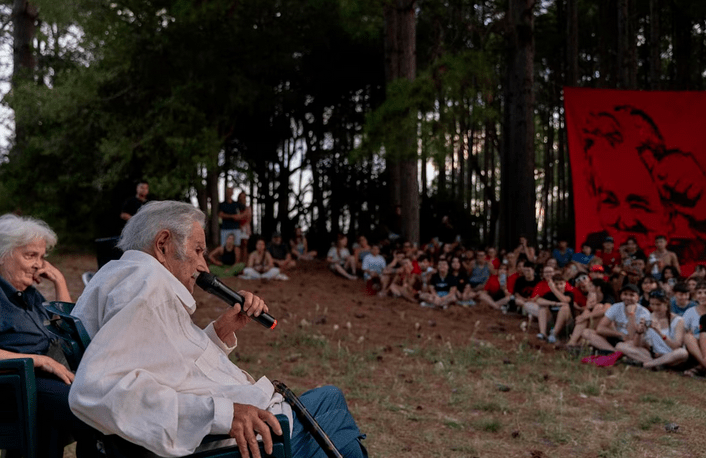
(24, 242)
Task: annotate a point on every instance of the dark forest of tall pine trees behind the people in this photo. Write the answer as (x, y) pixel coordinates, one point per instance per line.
(329, 113)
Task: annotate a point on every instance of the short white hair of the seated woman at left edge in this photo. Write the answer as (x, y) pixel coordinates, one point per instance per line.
(17, 231)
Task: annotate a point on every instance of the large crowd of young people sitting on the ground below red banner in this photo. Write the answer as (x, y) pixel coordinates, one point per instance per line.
(619, 301)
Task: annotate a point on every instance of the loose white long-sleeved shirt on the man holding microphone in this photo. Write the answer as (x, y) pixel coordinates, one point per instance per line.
(150, 374)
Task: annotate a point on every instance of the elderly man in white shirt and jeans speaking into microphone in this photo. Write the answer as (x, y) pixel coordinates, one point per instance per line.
(153, 377)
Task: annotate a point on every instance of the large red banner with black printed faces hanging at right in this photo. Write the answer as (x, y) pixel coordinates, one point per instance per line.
(638, 162)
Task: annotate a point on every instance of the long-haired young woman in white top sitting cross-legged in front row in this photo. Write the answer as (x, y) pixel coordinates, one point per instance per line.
(664, 337)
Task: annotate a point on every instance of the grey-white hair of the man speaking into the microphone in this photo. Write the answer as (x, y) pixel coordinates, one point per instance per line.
(152, 218)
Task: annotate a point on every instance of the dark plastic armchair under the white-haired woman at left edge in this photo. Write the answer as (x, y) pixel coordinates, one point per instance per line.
(18, 409)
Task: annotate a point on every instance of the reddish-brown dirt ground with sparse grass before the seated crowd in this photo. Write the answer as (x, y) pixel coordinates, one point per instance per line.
(465, 382)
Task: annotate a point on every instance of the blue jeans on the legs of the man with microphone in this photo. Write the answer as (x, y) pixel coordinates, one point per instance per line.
(328, 406)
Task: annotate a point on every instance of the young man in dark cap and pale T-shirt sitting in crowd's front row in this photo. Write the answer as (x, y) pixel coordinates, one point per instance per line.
(621, 322)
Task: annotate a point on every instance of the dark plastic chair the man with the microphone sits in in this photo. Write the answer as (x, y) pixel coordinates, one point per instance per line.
(75, 340)
